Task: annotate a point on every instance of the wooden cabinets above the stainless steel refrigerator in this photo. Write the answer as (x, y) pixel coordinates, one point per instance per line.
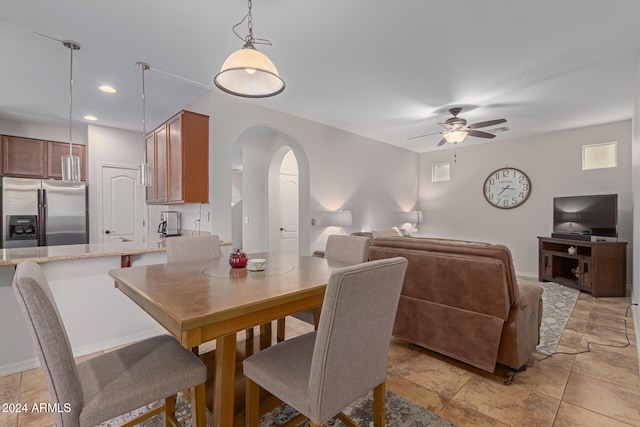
(36, 158)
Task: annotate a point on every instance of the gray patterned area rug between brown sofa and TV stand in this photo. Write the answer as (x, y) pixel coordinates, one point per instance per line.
(558, 302)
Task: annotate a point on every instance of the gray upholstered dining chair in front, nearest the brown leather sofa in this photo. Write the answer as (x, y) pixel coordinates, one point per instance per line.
(322, 372)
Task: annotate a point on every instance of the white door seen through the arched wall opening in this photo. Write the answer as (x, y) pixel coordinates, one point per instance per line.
(289, 213)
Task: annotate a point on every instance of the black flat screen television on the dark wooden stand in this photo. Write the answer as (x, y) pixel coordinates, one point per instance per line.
(595, 215)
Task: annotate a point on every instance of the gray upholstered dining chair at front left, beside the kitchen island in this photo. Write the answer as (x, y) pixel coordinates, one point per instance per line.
(111, 384)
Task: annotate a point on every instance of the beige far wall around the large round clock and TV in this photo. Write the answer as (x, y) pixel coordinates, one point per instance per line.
(553, 162)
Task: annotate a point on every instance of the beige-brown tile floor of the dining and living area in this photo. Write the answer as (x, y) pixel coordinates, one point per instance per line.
(599, 388)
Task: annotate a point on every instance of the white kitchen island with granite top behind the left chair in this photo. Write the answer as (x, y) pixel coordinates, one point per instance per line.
(96, 314)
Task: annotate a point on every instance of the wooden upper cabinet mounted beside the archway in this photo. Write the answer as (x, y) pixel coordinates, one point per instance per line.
(178, 151)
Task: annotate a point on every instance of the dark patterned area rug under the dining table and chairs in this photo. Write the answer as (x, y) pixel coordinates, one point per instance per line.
(399, 413)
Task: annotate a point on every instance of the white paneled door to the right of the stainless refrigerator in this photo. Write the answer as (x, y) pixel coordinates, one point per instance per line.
(122, 204)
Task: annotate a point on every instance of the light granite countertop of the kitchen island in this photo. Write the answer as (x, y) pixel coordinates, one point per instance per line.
(42, 254)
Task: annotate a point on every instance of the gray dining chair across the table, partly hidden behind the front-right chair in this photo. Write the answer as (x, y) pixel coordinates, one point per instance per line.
(342, 248)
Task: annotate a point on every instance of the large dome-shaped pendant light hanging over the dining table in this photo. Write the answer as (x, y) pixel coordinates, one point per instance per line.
(247, 72)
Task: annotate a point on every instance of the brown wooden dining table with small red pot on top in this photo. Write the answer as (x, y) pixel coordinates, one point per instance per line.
(203, 300)
